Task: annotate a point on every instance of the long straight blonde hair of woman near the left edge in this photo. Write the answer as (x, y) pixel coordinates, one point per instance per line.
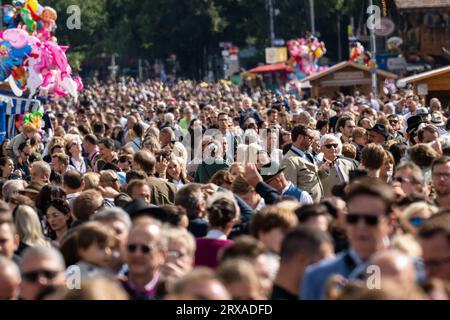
(28, 228)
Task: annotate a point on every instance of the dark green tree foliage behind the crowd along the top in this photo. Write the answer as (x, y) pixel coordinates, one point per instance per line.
(190, 29)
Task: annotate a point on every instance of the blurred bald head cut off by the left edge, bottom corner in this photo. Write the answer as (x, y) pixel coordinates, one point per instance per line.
(9, 279)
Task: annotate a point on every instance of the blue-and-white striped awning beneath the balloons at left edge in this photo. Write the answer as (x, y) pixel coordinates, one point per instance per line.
(10, 106)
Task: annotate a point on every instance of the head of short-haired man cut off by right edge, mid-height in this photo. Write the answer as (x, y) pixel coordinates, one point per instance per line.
(440, 171)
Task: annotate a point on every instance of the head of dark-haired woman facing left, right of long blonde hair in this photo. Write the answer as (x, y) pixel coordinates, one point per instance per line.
(58, 219)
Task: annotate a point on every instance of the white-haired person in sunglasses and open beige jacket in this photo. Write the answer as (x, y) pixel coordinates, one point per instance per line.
(335, 169)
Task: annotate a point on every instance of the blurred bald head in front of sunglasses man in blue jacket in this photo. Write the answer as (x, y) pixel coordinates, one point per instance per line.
(394, 264)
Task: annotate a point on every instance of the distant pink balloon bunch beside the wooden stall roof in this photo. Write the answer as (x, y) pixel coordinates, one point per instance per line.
(305, 54)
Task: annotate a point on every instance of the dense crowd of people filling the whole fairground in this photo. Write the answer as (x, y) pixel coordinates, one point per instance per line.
(150, 190)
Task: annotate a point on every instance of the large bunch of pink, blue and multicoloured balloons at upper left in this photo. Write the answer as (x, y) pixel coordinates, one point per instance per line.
(30, 58)
